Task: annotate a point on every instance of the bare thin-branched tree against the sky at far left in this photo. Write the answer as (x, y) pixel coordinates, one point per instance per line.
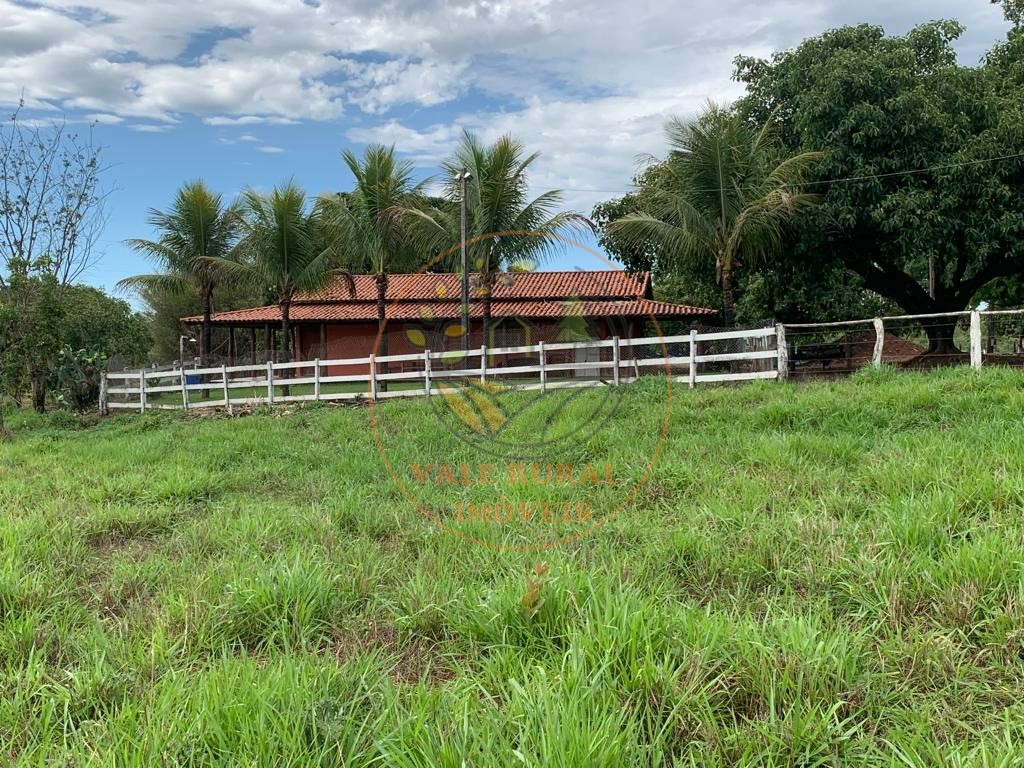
(52, 201)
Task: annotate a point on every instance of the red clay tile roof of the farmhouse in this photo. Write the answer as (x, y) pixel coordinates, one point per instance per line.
(601, 294)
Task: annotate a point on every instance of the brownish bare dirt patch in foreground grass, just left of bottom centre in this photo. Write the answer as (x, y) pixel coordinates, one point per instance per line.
(412, 660)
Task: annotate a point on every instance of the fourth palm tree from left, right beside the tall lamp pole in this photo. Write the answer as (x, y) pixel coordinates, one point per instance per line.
(501, 214)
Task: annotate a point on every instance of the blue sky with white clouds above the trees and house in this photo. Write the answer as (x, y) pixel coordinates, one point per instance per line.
(253, 93)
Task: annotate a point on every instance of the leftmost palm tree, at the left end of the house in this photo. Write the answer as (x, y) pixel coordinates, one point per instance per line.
(197, 230)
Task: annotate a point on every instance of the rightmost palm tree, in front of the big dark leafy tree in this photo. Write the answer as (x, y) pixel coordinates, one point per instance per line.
(726, 193)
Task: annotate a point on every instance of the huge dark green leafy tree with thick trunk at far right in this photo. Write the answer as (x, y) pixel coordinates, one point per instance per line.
(923, 172)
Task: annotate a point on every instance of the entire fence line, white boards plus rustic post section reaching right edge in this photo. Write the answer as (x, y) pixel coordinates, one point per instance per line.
(792, 351)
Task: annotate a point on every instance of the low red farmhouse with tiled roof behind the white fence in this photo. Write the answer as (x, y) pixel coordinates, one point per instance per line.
(423, 312)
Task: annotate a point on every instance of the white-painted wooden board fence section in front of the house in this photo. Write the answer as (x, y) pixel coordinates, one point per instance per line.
(272, 383)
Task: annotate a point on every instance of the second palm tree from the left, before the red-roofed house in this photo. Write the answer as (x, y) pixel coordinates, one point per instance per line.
(282, 250)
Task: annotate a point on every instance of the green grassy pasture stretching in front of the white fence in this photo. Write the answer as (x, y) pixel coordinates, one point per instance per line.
(818, 575)
